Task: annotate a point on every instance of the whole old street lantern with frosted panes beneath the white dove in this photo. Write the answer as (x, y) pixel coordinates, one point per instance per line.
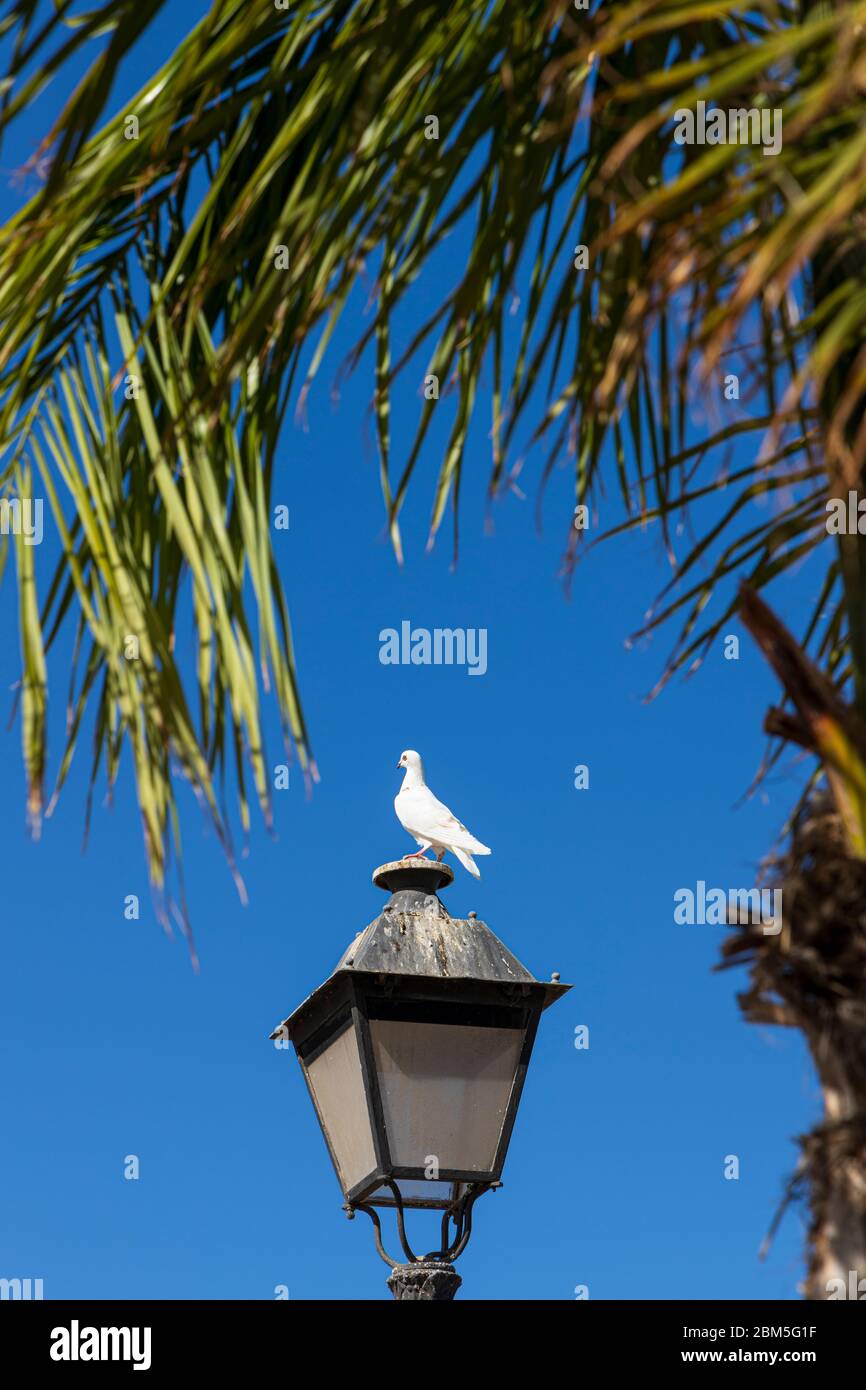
(415, 1052)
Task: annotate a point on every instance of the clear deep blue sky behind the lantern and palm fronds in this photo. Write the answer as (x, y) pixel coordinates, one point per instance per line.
(115, 1047)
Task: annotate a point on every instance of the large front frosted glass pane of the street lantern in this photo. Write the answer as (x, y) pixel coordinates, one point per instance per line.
(446, 1090)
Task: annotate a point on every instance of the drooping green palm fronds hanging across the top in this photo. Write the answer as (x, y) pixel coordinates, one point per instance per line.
(273, 159)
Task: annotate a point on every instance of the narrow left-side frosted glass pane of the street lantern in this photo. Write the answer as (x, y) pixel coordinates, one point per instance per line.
(338, 1089)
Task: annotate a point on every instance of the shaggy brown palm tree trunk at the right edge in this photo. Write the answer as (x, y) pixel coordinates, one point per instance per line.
(812, 976)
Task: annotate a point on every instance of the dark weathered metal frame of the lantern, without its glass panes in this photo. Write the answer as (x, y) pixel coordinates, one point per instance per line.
(471, 979)
